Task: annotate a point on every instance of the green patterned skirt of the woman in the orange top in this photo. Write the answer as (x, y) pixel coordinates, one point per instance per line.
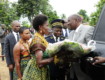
(23, 64)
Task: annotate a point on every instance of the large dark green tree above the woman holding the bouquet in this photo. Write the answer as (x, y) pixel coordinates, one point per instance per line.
(30, 8)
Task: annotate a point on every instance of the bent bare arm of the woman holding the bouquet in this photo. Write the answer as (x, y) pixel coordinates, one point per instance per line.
(40, 61)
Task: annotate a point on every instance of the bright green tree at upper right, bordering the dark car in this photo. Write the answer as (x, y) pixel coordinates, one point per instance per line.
(95, 15)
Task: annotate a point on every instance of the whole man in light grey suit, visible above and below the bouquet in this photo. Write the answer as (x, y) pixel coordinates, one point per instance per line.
(82, 34)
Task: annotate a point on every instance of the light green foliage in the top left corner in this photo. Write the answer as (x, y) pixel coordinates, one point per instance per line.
(7, 13)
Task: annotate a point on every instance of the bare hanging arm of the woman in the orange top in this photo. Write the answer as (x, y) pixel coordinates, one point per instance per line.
(16, 52)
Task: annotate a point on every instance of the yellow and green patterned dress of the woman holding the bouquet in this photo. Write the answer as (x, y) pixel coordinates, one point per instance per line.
(32, 71)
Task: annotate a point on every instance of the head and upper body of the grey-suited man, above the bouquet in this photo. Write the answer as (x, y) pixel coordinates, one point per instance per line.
(80, 33)
